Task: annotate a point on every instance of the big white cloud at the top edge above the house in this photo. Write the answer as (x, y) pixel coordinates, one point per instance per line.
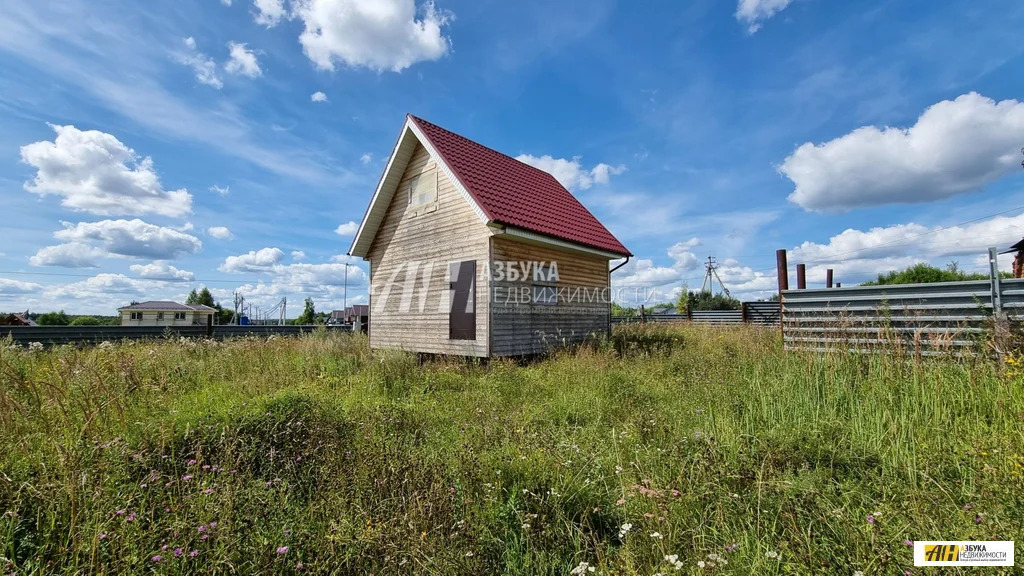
(376, 34)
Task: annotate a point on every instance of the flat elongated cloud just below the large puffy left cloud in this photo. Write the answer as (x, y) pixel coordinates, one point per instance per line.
(131, 238)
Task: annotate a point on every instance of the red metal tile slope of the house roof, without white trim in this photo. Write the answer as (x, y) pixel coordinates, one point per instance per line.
(516, 194)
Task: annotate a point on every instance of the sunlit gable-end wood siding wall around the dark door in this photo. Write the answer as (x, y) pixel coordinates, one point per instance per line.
(452, 233)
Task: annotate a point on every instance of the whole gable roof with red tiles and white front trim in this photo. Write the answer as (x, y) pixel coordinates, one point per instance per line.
(502, 191)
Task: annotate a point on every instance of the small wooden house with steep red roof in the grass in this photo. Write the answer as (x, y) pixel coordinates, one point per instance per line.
(475, 254)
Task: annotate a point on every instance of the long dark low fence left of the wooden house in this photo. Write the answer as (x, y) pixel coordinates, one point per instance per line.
(52, 336)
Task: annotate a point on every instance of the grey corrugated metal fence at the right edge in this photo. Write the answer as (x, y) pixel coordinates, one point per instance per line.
(926, 319)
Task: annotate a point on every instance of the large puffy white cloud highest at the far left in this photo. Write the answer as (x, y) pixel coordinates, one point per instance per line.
(96, 173)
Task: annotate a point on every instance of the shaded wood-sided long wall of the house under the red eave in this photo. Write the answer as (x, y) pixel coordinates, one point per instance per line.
(531, 328)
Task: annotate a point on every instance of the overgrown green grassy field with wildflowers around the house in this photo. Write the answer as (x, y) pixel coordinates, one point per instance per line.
(678, 450)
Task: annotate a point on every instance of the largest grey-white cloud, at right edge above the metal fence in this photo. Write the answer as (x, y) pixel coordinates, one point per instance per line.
(956, 147)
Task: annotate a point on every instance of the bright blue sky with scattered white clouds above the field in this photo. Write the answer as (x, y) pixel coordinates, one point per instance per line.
(151, 148)
